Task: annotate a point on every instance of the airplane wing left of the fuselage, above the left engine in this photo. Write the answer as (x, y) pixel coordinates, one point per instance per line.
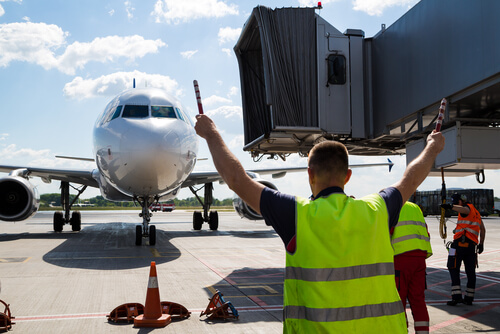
(83, 177)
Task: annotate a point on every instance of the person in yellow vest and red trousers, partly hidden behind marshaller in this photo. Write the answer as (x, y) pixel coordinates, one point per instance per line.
(412, 245)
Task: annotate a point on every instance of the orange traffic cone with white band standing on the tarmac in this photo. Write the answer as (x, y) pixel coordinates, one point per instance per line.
(153, 316)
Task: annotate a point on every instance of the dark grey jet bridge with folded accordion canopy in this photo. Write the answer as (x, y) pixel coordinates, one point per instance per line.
(303, 81)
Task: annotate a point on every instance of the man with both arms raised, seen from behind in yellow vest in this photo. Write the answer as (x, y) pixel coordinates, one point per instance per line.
(339, 274)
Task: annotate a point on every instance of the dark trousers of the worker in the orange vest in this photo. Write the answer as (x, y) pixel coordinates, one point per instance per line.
(467, 255)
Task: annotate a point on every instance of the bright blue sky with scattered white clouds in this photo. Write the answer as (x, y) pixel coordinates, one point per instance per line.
(62, 61)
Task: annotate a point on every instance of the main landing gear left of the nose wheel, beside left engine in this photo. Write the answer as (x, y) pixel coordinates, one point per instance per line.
(62, 218)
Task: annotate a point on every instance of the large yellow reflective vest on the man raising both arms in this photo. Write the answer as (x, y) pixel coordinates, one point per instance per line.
(341, 276)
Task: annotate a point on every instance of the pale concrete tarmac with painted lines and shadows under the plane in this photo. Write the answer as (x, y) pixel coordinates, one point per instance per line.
(68, 282)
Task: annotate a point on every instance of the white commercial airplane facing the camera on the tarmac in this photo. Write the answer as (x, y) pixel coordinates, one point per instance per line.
(145, 149)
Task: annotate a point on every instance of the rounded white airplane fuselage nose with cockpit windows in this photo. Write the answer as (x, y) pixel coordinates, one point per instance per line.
(144, 145)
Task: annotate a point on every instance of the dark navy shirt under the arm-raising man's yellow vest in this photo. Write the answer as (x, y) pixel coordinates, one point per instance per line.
(279, 210)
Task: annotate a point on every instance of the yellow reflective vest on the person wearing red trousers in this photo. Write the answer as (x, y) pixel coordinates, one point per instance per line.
(411, 233)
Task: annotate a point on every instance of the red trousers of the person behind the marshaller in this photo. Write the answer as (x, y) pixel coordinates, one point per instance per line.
(410, 281)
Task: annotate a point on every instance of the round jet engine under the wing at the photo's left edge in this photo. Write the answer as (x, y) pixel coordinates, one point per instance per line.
(19, 200)
